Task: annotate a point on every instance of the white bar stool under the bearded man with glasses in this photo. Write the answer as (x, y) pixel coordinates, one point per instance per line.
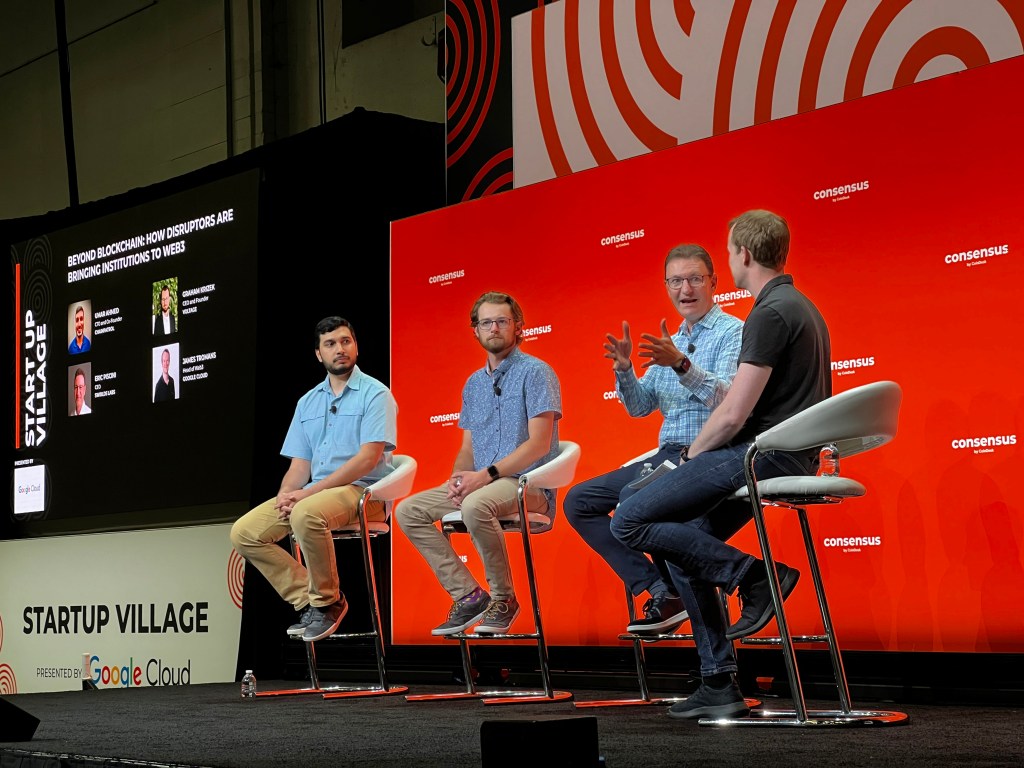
(554, 475)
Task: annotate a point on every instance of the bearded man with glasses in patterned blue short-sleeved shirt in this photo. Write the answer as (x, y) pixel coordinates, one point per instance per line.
(510, 413)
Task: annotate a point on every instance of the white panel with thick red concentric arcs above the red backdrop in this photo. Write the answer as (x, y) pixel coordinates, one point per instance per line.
(615, 79)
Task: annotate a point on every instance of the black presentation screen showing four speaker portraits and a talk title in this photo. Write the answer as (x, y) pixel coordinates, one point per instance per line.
(133, 332)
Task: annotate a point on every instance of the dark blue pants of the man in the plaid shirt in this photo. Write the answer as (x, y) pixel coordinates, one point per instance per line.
(587, 507)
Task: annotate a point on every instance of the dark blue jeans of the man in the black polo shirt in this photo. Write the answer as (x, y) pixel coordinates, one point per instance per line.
(686, 519)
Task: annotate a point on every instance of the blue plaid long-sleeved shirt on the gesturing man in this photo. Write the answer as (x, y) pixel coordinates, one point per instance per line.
(687, 401)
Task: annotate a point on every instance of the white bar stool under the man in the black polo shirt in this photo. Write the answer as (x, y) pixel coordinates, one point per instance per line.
(855, 421)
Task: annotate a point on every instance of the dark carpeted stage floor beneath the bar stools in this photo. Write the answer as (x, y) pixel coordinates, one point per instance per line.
(210, 726)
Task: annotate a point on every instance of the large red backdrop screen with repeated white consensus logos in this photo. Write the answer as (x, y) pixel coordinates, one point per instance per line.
(905, 210)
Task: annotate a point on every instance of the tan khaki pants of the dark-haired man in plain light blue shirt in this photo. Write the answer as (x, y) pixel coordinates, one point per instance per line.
(257, 534)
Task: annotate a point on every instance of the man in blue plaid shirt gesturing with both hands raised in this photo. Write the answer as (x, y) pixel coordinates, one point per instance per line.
(688, 375)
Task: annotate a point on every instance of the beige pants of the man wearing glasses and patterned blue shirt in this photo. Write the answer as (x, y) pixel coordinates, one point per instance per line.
(419, 515)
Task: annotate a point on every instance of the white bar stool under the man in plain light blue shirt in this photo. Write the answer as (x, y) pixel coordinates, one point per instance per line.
(389, 490)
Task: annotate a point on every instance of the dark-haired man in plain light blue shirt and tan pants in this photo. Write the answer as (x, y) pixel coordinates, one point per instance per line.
(340, 441)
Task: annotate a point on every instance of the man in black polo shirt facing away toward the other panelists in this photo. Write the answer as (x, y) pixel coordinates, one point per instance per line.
(687, 516)
